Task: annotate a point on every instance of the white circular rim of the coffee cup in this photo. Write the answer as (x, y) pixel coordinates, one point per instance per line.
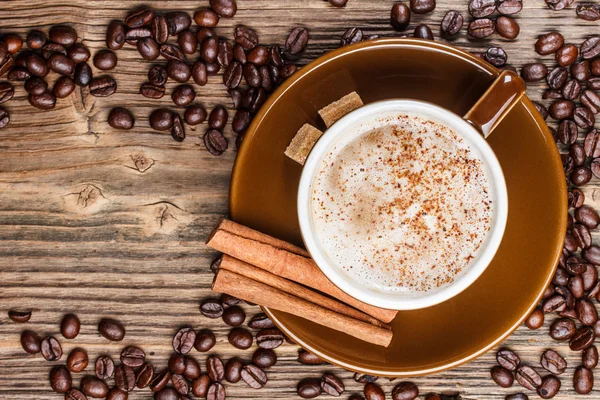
(394, 300)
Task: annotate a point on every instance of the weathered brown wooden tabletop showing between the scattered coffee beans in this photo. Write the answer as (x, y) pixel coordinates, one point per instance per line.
(107, 223)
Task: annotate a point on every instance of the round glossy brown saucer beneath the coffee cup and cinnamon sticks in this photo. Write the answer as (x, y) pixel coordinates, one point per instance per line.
(264, 185)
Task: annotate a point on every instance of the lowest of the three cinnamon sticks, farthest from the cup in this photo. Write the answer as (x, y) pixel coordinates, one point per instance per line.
(265, 295)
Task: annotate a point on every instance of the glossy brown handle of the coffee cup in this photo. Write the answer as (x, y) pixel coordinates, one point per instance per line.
(496, 102)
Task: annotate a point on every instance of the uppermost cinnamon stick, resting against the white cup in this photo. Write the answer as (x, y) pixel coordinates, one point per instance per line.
(271, 255)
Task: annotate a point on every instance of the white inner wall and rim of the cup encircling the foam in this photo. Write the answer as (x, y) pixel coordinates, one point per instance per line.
(362, 120)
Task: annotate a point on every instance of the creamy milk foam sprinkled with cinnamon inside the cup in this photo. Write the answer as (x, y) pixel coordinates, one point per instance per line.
(402, 207)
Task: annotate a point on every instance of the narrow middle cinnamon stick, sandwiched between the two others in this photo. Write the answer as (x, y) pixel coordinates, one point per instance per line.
(241, 268)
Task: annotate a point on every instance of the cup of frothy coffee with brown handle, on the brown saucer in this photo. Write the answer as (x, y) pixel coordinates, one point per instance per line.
(380, 268)
